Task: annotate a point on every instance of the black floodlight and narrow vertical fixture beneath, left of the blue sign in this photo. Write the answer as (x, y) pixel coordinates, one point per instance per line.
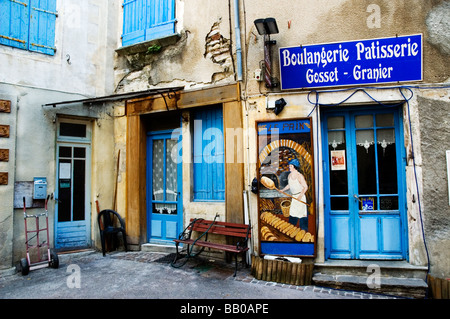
(267, 27)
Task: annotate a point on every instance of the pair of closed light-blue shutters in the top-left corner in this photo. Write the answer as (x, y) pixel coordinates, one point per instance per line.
(28, 25)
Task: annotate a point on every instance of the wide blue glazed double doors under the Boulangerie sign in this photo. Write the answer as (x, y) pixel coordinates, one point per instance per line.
(364, 184)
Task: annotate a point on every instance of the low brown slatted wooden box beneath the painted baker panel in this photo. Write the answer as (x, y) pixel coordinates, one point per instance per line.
(282, 271)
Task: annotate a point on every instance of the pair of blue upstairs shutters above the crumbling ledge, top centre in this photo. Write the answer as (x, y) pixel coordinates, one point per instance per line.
(145, 20)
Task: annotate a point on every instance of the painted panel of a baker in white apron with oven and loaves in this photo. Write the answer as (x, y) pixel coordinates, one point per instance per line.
(286, 203)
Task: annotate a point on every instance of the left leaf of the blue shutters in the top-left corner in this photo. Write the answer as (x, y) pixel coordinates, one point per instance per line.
(14, 23)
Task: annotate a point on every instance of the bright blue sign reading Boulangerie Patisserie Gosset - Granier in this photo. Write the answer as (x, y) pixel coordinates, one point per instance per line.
(383, 60)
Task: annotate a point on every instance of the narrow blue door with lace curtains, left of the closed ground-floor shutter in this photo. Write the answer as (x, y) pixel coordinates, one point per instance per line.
(164, 187)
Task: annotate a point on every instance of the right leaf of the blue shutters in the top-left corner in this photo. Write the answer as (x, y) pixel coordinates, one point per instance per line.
(42, 26)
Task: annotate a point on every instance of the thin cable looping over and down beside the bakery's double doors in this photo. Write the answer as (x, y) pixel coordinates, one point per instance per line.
(406, 100)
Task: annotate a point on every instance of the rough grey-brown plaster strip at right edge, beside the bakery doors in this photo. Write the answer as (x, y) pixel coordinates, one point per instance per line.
(435, 131)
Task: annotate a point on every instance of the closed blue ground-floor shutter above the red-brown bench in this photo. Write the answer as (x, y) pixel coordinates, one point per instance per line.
(209, 155)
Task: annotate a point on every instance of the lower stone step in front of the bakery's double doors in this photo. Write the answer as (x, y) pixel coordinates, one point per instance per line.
(393, 286)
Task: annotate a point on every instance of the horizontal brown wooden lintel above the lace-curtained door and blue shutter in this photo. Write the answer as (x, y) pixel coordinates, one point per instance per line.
(183, 99)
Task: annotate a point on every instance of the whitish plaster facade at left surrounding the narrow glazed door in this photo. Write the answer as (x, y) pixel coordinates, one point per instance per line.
(81, 67)
